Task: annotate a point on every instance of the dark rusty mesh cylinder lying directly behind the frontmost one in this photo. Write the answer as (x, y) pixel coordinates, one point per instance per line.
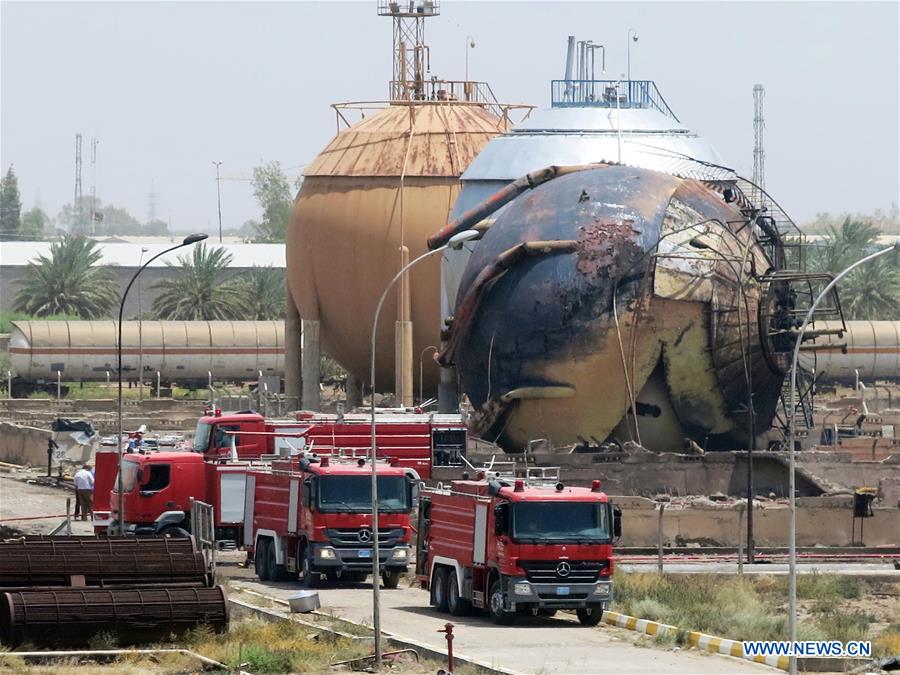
(26, 569)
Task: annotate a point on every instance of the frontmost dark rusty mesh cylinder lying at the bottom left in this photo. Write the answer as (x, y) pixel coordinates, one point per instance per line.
(133, 614)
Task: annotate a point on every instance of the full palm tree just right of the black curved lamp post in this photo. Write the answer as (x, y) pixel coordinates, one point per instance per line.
(197, 291)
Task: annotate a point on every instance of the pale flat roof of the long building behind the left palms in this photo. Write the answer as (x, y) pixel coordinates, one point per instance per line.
(20, 253)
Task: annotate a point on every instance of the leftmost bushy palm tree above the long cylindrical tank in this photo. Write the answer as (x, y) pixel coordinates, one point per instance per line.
(69, 281)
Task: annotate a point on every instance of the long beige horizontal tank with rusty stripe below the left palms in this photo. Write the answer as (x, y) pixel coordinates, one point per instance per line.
(178, 350)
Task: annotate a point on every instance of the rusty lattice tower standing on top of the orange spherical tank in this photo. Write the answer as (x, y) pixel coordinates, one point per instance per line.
(412, 57)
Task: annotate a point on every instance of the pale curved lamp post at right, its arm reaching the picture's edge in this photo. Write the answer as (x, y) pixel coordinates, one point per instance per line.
(792, 523)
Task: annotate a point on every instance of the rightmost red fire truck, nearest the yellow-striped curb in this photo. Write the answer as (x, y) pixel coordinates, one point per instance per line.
(510, 546)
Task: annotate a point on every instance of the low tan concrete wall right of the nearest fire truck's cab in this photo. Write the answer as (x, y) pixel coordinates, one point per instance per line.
(826, 521)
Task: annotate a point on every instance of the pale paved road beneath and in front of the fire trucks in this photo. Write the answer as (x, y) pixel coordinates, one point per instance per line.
(535, 645)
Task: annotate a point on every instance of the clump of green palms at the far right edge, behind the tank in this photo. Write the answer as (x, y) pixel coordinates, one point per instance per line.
(869, 292)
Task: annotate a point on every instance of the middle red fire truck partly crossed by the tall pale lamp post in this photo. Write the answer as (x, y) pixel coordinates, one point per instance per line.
(312, 516)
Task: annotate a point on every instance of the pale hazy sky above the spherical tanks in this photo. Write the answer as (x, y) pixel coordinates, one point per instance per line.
(170, 87)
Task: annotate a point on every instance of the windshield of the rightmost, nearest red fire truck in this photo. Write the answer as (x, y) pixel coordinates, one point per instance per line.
(539, 522)
